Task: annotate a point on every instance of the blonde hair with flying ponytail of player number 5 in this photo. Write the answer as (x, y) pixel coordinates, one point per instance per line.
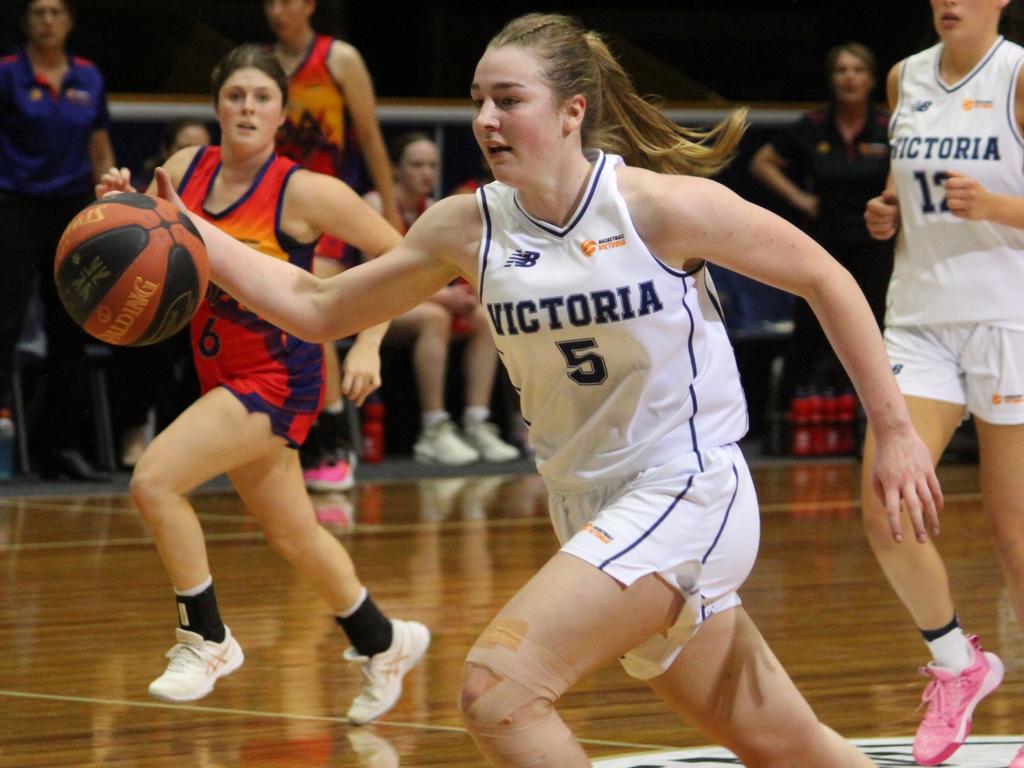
(618, 119)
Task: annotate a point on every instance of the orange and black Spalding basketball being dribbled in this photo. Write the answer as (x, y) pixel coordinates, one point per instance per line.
(132, 270)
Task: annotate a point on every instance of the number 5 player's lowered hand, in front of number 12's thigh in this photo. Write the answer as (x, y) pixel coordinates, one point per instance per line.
(904, 477)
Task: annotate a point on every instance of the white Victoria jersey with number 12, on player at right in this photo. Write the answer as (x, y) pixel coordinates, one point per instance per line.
(951, 270)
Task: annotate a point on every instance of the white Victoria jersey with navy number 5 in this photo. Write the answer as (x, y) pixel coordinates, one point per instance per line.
(621, 362)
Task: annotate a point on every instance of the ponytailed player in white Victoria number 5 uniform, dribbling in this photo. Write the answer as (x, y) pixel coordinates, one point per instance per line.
(594, 277)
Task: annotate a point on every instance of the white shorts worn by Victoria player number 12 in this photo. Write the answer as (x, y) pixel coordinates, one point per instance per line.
(975, 366)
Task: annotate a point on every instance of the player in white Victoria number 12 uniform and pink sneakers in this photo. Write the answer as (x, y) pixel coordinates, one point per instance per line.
(955, 322)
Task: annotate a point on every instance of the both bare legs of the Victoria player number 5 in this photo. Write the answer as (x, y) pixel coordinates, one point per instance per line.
(579, 619)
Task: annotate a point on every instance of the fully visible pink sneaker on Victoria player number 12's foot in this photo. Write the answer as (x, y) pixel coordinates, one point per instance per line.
(952, 699)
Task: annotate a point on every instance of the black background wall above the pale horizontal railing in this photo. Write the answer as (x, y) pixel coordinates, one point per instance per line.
(737, 51)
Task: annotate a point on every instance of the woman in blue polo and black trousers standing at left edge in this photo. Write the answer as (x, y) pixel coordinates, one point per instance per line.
(55, 145)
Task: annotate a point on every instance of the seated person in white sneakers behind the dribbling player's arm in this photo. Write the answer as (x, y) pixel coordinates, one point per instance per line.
(455, 312)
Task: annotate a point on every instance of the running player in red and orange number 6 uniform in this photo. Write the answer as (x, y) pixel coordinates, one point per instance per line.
(263, 390)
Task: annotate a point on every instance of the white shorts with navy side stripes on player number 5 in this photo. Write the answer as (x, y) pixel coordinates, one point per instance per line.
(695, 522)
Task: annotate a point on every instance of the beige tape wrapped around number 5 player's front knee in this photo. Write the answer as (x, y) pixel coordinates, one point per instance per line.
(515, 722)
